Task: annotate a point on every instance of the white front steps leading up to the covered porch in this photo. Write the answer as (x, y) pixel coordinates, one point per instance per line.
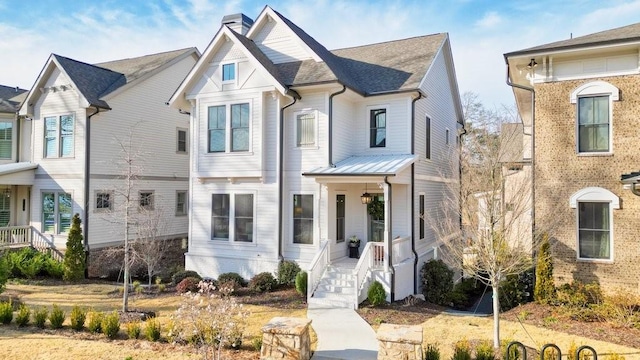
(336, 289)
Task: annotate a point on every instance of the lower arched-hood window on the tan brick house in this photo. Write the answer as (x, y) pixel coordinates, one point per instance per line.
(594, 219)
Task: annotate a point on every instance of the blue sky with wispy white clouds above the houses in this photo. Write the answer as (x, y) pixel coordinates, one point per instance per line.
(480, 31)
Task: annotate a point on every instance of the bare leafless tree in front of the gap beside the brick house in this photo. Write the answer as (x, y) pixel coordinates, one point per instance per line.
(492, 200)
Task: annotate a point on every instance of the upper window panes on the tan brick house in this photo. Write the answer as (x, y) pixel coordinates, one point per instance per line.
(593, 124)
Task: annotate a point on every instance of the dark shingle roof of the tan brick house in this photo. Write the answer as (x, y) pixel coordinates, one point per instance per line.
(618, 35)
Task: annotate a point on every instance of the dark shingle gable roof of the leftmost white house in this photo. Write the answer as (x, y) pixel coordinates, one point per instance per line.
(94, 82)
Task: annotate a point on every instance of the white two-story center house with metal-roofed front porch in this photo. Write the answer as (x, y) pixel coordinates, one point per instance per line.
(288, 139)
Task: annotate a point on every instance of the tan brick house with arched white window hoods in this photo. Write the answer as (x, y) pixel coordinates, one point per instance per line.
(581, 97)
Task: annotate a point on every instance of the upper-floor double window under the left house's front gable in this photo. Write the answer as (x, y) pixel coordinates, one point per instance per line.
(58, 136)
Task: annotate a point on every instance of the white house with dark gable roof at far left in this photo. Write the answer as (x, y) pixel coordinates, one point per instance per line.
(69, 158)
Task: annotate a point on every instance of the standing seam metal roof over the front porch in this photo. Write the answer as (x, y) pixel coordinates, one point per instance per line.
(368, 165)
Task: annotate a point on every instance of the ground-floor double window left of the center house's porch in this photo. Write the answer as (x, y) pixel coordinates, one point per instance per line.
(232, 217)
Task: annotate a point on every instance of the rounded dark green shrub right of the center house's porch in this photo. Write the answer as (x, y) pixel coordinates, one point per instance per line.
(437, 282)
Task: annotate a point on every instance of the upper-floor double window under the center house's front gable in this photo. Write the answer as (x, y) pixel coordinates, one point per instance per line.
(235, 117)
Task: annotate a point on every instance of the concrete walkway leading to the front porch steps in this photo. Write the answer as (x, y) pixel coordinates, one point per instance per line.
(342, 334)
